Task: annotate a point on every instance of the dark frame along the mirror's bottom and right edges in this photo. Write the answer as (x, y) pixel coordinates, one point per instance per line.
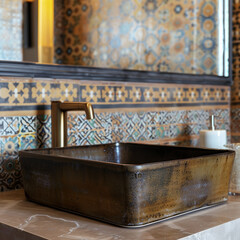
(36, 70)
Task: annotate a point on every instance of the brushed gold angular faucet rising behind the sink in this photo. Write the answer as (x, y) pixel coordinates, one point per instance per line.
(59, 119)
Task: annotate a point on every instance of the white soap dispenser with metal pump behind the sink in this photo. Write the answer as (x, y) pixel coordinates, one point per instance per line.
(213, 138)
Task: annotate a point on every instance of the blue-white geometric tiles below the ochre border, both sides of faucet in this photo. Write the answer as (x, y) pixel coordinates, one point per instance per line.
(166, 127)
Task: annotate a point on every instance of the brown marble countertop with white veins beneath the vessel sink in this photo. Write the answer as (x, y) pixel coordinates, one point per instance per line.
(21, 219)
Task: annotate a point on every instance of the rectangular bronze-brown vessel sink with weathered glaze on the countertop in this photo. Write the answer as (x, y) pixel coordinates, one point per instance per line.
(127, 184)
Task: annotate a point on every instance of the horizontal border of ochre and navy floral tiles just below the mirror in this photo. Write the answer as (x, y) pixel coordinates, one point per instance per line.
(22, 95)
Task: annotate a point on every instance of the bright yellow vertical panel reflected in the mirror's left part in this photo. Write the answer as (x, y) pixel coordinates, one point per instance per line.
(45, 30)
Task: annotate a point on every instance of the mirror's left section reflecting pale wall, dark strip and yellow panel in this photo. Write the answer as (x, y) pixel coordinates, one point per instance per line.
(26, 30)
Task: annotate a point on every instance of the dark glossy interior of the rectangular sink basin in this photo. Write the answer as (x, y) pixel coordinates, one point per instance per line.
(129, 153)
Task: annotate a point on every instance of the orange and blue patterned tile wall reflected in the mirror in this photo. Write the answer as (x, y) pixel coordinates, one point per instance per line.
(167, 36)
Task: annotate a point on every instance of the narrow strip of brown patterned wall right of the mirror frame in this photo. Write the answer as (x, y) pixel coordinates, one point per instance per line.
(235, 91)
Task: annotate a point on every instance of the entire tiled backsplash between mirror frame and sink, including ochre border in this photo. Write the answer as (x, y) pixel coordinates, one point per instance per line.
(162, 113)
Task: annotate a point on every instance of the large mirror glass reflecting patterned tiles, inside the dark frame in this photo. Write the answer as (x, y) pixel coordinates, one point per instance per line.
(189, 37)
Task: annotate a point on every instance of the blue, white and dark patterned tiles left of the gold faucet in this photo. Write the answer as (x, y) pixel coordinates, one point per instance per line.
(29, 132)
